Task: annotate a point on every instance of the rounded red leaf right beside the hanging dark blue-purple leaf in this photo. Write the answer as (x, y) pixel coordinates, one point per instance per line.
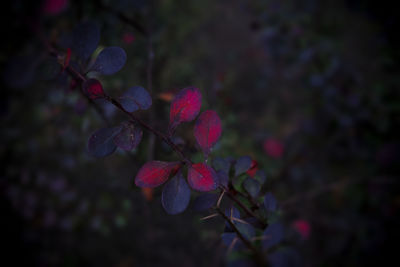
(202, 177)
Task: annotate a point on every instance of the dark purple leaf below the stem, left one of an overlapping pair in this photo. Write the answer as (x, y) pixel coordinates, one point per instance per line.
(101, 143)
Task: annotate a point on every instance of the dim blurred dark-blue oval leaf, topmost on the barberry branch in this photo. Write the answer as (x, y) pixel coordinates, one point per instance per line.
(85, 38)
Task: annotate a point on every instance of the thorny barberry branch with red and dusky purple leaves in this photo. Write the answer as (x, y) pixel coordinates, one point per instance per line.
(230, 188)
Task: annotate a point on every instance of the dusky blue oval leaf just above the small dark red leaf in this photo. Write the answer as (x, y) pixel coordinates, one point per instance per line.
(110, 60)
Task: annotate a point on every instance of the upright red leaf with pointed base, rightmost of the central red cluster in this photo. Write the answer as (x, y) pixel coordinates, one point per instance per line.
(207, 130)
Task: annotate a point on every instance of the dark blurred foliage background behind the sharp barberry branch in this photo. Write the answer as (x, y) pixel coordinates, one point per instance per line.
(319, 77)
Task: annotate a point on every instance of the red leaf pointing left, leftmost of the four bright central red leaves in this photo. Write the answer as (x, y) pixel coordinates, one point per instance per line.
(155, 173)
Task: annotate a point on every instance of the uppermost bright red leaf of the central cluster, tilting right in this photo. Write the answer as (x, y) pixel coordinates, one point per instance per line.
(185, 107)
